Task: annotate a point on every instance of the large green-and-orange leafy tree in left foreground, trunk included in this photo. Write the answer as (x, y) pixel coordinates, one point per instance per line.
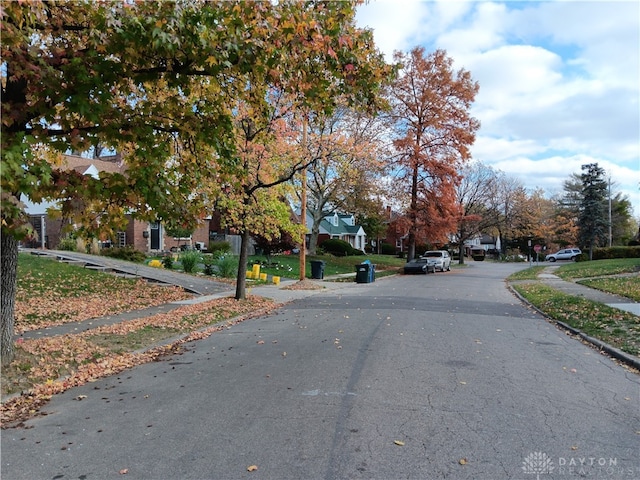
(158, 82)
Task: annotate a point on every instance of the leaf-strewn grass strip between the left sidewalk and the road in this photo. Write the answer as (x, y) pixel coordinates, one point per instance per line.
(47, 366)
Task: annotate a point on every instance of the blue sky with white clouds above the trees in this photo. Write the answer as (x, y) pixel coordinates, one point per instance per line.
(559, 80)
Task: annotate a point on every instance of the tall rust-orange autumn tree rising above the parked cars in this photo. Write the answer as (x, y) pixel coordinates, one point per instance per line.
(430, 106)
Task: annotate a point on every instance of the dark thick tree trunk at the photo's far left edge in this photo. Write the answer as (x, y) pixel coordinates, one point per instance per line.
(9, 277)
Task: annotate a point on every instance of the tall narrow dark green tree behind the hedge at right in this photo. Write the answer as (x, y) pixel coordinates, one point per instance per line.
(593, 220)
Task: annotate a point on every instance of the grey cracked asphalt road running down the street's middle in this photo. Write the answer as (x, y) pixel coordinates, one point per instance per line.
(422, 377)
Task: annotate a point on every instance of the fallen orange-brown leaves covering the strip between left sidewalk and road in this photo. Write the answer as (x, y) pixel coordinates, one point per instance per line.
(67, 361)
